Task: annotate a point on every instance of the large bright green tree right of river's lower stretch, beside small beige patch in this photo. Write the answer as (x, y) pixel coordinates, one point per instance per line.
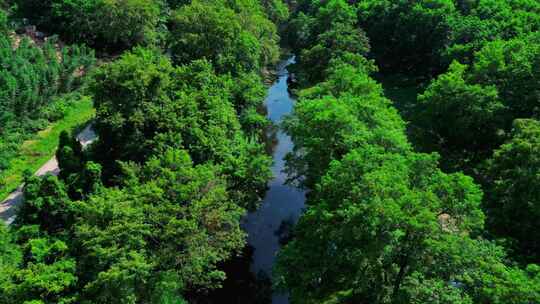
(375, 214)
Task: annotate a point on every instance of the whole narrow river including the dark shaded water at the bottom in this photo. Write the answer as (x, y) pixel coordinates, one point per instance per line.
(268, 228)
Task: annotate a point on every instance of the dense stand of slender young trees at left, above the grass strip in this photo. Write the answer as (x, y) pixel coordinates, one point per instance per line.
(33, 83)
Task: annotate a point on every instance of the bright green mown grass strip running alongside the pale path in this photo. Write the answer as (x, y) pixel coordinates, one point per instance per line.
(36, 152)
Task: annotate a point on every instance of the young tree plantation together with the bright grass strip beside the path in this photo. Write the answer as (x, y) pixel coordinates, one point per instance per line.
(36, 82)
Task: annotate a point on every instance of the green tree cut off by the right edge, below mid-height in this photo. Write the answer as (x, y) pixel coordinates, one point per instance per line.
(514, 189)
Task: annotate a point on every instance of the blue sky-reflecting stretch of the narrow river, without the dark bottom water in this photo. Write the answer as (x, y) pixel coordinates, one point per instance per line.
(282, 204)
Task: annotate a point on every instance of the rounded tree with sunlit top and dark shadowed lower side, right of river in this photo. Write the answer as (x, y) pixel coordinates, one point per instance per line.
(460, 119)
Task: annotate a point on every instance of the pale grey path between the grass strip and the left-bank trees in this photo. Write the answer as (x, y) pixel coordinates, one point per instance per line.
(8, 208)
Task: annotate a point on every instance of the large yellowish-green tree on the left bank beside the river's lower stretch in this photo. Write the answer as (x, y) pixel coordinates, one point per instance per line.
(171, 222)
